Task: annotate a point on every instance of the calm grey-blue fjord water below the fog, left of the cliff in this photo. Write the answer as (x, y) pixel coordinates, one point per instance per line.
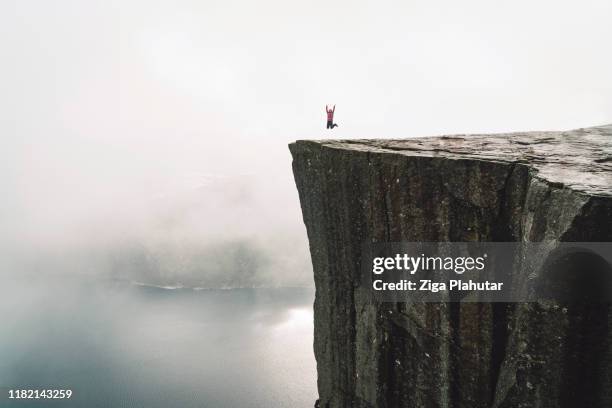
(118, 344)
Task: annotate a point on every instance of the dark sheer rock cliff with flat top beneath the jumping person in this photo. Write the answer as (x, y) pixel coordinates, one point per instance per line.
(496, 188)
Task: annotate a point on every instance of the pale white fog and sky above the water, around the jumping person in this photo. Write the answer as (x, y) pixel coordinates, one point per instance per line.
(147, 140)
